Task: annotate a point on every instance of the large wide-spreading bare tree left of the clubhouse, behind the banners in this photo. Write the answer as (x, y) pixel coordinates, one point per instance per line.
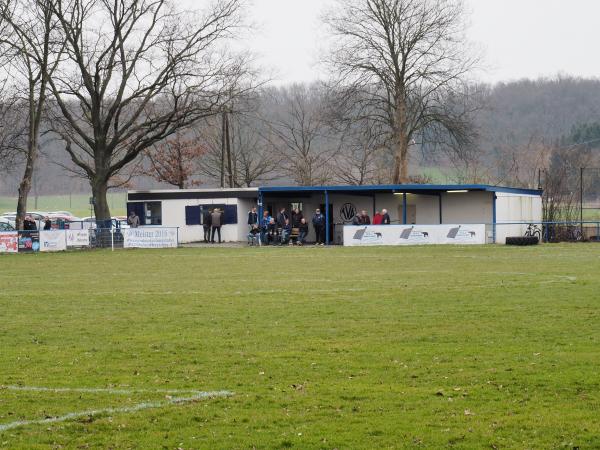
(136, 72)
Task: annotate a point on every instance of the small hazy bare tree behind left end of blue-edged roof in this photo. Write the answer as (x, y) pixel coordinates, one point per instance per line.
(299, 128)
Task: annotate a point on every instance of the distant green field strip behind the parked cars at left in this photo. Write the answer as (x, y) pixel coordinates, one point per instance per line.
(78, 204)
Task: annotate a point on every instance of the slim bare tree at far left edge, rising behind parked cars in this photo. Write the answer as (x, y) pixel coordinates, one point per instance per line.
(30, 42)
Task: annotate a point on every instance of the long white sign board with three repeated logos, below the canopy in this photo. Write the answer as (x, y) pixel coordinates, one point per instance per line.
(413, 234)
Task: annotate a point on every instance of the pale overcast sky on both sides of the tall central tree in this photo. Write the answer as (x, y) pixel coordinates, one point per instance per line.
(518, 38)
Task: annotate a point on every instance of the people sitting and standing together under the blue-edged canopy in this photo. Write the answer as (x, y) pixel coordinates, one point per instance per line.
(289, 228)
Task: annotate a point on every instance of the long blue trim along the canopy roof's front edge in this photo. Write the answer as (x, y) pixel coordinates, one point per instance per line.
(403, 188)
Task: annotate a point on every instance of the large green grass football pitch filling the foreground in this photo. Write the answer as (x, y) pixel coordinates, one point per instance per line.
(431, 347)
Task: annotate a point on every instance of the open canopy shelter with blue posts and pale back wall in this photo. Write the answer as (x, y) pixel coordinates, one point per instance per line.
(406, 203)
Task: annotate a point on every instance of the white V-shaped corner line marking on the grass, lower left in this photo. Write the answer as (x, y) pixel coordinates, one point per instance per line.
(197, 396)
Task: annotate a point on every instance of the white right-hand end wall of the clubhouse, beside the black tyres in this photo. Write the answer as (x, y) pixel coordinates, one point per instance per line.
(516, 208)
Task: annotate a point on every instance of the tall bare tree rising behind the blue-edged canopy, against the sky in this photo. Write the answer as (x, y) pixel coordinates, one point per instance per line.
(408, 58)
